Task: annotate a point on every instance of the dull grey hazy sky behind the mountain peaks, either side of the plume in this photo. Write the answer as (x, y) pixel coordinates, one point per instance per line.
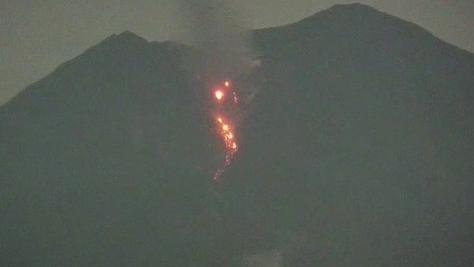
(36, 36)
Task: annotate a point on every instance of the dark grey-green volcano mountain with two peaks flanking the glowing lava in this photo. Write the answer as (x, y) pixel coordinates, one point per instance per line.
(357, 150)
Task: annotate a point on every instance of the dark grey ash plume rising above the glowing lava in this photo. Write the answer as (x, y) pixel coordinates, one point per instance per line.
(217, 29)
